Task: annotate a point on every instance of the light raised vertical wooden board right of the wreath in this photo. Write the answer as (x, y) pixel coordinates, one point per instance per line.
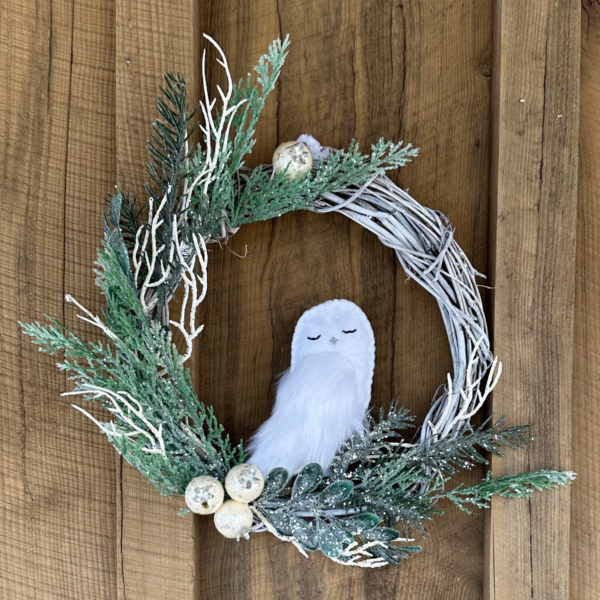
(534, 200)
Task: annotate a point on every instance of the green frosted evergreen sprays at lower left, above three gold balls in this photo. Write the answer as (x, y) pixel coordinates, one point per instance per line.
(141, 363)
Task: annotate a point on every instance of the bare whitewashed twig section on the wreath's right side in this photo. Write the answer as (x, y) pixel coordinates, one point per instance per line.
(424, 243)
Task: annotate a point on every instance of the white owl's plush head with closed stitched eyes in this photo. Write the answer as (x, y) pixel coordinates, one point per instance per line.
(337, 327)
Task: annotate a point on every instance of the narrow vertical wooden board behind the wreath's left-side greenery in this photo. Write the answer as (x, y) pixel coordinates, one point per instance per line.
(156, 545)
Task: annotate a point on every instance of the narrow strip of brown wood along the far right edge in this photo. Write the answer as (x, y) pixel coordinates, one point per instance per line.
(585, 496)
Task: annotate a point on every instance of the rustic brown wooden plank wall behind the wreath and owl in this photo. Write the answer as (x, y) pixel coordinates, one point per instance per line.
(490, 92)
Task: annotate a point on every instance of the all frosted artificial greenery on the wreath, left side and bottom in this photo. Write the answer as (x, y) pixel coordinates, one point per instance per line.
(381, 487)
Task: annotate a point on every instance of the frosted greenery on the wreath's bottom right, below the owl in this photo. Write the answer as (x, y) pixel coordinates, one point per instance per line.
(383, 488)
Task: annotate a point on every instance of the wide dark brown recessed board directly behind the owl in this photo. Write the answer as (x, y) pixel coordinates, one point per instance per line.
(363, 70)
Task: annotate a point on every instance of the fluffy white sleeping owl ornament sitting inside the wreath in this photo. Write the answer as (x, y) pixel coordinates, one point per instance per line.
(323, 397)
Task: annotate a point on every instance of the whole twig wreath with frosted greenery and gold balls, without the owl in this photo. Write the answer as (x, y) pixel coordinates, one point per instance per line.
(385, 481)
